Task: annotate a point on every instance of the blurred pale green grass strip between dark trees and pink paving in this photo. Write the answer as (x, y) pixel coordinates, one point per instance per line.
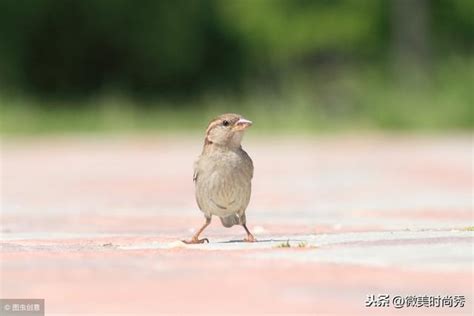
(361, 98)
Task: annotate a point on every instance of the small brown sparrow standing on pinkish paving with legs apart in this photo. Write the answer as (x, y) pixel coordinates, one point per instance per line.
(223, 174)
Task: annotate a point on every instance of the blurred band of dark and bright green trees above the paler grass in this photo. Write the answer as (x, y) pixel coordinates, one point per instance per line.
(77, 47)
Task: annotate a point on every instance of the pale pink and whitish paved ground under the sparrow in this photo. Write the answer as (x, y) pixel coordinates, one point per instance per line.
(93, 226)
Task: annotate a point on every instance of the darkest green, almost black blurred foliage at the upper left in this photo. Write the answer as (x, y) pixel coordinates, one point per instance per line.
(76, 47)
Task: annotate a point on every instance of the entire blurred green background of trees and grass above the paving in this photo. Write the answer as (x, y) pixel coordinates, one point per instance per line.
(299, 65)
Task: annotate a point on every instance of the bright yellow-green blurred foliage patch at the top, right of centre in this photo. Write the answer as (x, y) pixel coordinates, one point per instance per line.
(281, 31)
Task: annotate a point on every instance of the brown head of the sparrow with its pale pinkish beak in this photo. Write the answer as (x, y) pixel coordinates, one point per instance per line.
(226, 130)
